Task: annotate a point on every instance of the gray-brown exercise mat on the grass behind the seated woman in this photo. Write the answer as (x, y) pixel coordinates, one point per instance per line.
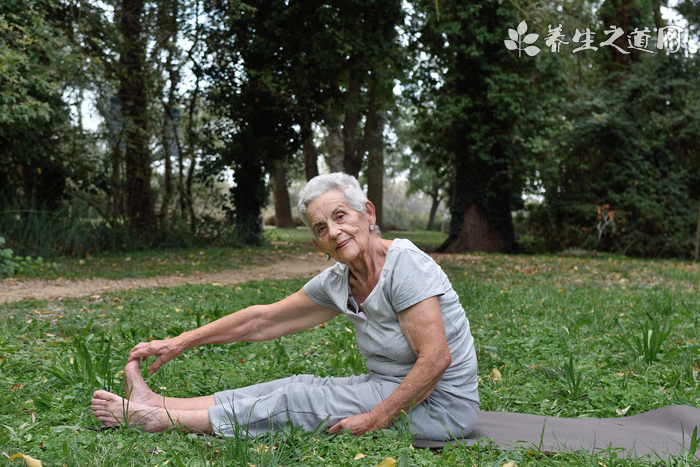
(658, 433)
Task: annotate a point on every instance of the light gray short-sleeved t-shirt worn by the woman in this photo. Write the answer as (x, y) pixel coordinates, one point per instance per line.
(409, 276)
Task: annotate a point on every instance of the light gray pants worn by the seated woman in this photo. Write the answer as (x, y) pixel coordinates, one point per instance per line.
(307, 400)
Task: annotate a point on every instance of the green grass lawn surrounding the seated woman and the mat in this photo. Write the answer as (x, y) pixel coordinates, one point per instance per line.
(567, 334)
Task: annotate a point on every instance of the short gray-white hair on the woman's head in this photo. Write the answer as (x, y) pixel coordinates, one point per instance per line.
(338, 181)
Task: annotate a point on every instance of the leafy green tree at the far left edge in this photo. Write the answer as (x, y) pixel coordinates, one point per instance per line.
(34, 58)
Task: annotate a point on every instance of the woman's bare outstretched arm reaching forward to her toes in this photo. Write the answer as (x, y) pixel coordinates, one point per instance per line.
(253, 324)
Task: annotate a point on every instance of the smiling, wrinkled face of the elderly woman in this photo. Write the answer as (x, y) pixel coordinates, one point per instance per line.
(340, 231)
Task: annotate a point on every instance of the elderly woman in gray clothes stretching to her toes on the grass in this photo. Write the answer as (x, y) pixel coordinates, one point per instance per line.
(408, 322)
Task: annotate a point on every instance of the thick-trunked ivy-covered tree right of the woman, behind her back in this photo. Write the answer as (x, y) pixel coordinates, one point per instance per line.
(472, 92)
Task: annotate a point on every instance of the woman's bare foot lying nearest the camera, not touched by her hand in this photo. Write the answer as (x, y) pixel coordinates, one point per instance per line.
(113, 410)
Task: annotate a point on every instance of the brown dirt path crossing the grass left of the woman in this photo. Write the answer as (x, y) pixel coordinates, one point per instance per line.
(305, 265)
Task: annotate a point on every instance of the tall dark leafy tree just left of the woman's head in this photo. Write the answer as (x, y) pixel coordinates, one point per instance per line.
(258, 44)
